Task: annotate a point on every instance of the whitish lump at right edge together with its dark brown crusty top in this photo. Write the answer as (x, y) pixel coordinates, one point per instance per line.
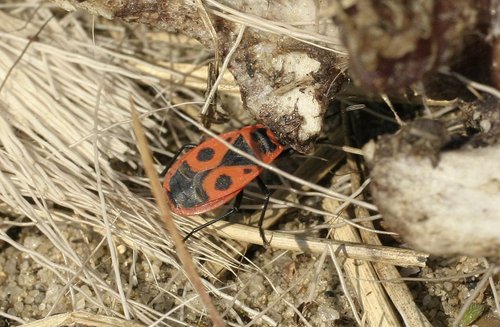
(442, 202)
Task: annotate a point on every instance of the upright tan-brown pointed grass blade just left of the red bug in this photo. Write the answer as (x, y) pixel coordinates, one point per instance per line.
(169, 223)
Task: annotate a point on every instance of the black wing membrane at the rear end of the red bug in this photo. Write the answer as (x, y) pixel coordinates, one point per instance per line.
(186, 187)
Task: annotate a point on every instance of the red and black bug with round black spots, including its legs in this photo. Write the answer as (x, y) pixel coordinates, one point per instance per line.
(210, 175)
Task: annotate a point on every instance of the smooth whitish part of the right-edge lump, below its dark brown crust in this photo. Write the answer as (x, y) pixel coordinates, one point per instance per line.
(466, 182)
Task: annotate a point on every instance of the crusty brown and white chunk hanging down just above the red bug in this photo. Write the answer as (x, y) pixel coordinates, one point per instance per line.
(288, 66)
